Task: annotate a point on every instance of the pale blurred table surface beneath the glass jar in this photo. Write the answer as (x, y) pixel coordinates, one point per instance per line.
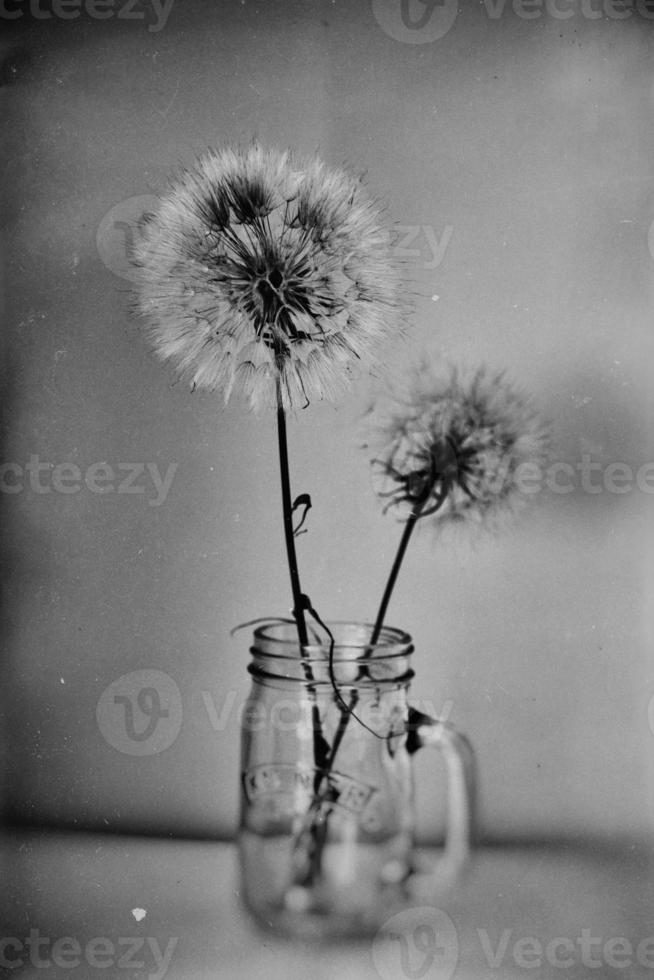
(536, 911)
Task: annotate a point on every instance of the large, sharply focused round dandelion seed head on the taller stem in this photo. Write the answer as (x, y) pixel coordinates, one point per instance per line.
(261, 272)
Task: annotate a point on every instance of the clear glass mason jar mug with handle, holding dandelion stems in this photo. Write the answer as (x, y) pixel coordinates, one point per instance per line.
(326, 831)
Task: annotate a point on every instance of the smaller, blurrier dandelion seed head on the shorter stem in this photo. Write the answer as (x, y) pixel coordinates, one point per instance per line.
(457, 448)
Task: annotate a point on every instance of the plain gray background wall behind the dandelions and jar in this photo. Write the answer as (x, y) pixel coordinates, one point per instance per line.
(532, 141)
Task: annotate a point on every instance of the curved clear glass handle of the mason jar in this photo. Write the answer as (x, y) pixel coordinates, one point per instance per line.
(460, 764)
